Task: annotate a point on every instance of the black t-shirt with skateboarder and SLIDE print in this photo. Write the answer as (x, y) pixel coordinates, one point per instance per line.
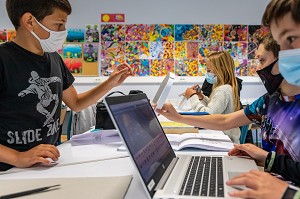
(31, 89)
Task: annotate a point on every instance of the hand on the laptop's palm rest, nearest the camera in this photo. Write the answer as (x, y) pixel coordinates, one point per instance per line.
(261, 185)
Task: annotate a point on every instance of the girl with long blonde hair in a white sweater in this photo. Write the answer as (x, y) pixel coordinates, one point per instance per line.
(220, 71)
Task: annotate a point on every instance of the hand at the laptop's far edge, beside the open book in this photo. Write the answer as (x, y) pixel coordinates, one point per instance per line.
(258, 154)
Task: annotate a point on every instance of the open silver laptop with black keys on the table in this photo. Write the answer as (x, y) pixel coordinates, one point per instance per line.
(164, 175)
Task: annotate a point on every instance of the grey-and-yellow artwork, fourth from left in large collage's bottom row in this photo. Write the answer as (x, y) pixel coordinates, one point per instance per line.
(186, 67)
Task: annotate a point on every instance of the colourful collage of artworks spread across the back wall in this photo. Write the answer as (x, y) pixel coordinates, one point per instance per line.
(154, 49)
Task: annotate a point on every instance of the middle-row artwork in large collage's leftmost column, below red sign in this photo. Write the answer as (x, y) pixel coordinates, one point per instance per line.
(112, 50)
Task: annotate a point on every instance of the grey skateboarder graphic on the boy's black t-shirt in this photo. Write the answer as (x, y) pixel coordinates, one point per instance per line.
(40, 87)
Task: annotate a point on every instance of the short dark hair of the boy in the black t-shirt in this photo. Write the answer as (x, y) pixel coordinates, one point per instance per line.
(38, 8)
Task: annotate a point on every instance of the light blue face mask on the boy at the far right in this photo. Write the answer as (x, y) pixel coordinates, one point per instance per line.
(289, 65)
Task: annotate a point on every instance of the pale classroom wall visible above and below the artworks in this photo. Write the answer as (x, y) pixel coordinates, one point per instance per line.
(164, 11)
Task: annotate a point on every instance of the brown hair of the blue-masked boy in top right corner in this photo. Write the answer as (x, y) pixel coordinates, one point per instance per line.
(276, 9)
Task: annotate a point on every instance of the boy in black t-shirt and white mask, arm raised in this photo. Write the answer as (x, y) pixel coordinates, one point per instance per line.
(34, 81)
